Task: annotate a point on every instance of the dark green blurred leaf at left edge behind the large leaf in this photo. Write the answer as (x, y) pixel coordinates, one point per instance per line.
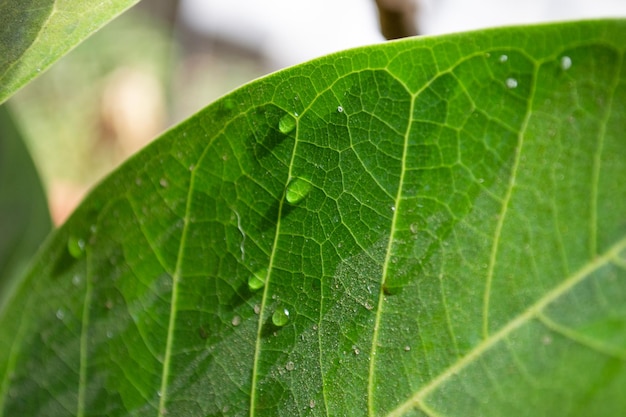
(24, 216)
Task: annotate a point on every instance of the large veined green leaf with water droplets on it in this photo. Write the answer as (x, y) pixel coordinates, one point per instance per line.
(443, 220)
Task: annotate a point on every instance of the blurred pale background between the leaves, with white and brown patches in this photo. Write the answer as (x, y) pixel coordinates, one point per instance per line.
(164, 60)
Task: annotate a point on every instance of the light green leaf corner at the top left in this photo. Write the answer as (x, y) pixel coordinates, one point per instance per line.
(35, 33)
